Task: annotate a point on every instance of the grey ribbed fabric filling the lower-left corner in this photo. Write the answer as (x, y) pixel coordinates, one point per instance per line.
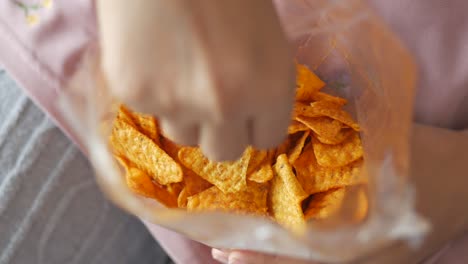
(51, 210)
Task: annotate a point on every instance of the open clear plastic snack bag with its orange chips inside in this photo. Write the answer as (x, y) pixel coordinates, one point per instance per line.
(336, 188)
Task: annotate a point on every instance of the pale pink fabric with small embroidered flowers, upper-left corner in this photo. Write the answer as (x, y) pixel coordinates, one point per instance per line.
(40, 57)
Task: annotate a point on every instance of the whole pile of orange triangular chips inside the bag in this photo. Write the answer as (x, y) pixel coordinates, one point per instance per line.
(305, 178)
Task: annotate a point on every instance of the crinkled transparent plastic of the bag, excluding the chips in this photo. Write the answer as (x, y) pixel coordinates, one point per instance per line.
(359, 59)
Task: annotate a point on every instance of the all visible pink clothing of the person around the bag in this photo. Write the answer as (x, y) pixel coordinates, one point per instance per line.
(42, 56)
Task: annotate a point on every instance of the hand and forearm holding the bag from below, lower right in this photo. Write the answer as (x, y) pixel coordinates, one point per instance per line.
(438, 173)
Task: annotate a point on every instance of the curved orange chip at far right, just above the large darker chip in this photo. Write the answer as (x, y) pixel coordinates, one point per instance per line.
(338, 155)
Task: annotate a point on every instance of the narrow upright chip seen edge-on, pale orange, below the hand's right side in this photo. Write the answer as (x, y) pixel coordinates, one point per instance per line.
(286, 196)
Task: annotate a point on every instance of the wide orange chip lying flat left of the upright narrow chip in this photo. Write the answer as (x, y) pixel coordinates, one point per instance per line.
(252, 199)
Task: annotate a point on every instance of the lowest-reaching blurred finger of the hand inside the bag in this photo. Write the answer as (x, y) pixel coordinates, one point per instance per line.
(224, 141)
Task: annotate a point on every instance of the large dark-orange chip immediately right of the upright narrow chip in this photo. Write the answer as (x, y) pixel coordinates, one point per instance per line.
(315, 178)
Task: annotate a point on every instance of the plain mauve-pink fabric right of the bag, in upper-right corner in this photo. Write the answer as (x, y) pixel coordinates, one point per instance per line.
(436, 32)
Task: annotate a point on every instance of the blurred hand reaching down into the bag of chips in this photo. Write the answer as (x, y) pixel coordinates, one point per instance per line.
(216, 73)
